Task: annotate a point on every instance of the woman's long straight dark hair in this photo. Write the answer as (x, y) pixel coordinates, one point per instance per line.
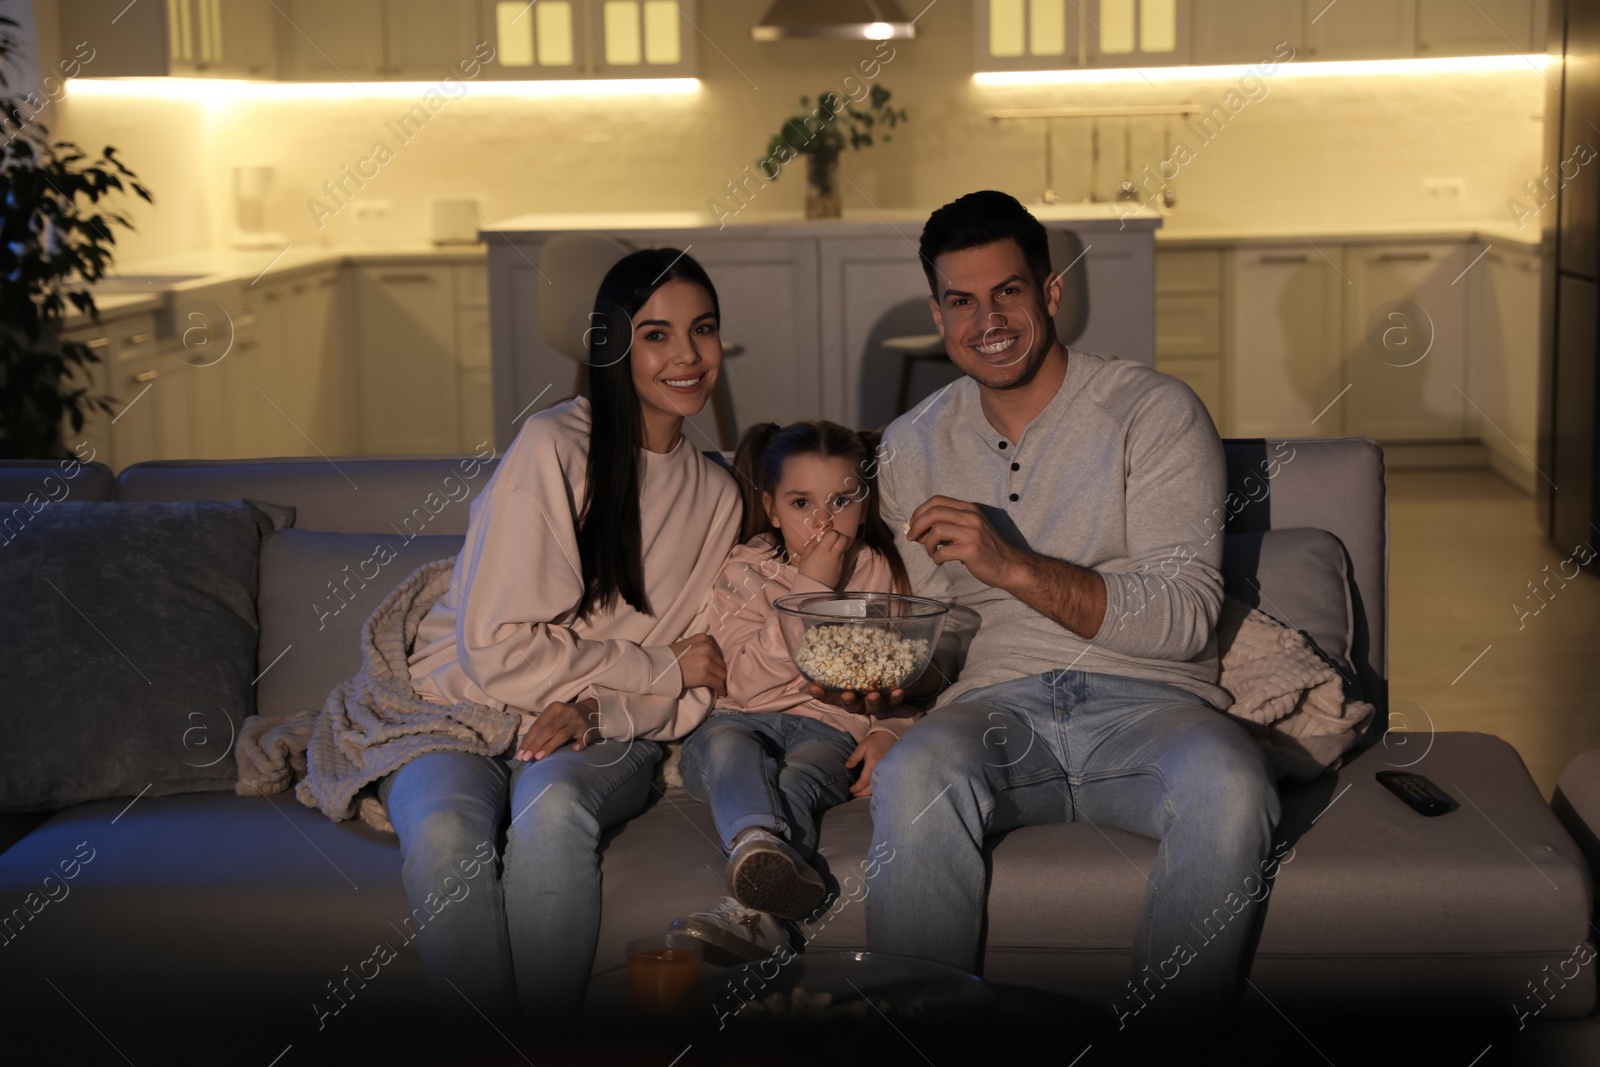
(610, 546)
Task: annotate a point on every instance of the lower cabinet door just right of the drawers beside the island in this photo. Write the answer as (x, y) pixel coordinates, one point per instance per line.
(1284, 370)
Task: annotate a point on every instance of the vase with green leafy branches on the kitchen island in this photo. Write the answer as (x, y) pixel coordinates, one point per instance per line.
(820, 137)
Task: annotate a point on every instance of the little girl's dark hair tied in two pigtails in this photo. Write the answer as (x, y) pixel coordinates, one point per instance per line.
(766, 449)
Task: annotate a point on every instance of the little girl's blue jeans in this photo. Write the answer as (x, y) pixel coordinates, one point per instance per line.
(767, 769)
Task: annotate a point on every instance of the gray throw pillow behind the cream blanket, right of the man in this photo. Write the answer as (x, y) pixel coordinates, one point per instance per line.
(1302, 578)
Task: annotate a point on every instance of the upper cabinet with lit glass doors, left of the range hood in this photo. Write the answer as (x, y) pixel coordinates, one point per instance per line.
(590, 39)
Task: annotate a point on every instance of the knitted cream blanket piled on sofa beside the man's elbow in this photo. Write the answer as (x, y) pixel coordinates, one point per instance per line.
(1284, 693)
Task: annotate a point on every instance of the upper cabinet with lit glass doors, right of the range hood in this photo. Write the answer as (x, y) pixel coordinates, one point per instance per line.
(1058, 34)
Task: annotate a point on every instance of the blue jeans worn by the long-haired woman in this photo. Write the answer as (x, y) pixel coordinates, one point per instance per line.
(521, 937)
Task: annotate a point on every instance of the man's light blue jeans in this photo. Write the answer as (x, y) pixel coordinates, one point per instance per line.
(1070, 746)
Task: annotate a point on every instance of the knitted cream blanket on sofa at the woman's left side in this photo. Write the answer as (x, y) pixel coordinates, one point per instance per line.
(372, 724)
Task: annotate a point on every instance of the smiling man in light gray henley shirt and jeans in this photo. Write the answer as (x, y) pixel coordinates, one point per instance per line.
(1063, 497)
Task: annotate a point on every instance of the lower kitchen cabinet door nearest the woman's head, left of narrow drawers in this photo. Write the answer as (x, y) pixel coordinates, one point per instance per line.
(407, 358)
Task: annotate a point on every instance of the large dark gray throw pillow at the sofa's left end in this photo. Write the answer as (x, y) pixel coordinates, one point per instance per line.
(129, 647)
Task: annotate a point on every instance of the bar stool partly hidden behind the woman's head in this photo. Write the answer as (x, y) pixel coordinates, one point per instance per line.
(575, 265)
